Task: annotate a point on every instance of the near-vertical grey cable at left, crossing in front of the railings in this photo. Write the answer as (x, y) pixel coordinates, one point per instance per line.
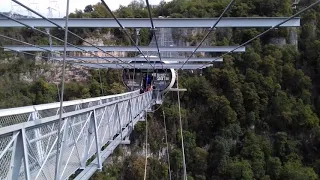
(57, 174)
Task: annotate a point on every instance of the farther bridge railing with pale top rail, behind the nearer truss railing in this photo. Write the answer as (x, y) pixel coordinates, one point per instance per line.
(23, 114)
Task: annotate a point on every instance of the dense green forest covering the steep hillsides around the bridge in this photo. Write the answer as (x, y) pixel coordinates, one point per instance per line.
(255, 116)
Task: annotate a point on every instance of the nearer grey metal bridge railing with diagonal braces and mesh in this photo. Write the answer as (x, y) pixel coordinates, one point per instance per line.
(28, 149)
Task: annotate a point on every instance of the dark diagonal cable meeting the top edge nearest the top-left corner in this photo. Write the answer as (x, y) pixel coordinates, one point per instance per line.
(33, 11)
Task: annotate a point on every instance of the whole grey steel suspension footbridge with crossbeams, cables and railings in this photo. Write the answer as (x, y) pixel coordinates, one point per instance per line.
(57, 140)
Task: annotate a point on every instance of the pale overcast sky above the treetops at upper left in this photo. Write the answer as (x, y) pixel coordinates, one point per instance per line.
(42, 5)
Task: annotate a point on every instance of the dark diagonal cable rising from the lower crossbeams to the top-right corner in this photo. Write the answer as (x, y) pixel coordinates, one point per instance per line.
(265, 32)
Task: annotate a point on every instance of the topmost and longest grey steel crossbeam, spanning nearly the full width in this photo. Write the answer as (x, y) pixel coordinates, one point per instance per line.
(245, 22)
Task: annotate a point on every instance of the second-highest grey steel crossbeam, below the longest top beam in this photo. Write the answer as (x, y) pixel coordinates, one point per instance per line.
(128, 48)
